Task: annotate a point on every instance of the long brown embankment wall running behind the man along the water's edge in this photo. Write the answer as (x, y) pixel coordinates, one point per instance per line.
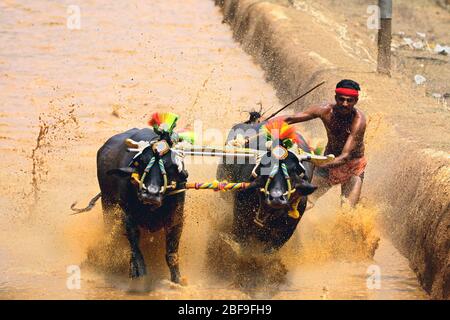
(297, 52)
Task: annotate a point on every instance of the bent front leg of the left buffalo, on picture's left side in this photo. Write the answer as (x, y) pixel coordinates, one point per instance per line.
(137, 263)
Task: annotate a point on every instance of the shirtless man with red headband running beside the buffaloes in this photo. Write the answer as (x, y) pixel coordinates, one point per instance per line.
(345, 126)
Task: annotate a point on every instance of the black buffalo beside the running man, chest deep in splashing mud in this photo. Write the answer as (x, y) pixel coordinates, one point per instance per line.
(264, 214)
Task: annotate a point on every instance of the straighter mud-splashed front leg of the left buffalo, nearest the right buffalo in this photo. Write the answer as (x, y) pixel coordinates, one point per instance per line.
(173, 235)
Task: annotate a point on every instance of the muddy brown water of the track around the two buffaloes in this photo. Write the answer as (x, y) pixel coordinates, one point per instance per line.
(64, 92)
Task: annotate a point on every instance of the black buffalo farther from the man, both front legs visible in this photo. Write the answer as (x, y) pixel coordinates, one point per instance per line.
(146, 204)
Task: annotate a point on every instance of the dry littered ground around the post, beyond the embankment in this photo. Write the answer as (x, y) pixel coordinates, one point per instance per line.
(418, 27)
